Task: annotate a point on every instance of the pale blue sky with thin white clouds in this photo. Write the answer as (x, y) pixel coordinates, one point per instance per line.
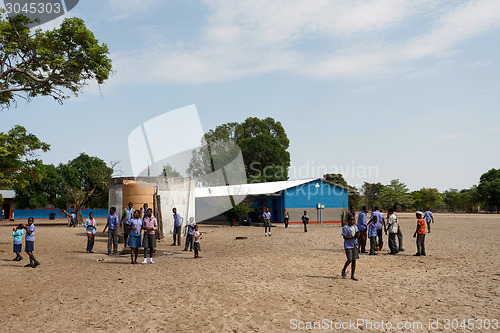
(375, 90)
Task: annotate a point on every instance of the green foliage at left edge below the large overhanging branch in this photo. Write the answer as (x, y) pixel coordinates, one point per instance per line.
(18, 163)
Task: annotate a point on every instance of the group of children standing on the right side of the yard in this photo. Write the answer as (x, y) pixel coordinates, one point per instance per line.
(373, 229)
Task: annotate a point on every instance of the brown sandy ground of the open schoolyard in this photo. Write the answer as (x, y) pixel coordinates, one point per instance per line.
(281, 283)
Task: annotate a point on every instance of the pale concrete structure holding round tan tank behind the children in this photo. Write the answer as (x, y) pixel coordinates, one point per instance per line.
(161, 193)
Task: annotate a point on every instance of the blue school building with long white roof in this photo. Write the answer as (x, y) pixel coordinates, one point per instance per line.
(323, 200)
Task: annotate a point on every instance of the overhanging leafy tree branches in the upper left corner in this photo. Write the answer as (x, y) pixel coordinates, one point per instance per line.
(52, 63)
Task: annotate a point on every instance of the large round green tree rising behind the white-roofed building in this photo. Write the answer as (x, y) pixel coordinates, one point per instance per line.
(263, 144)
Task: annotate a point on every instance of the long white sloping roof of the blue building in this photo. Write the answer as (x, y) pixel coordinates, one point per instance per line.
(249, 189)
